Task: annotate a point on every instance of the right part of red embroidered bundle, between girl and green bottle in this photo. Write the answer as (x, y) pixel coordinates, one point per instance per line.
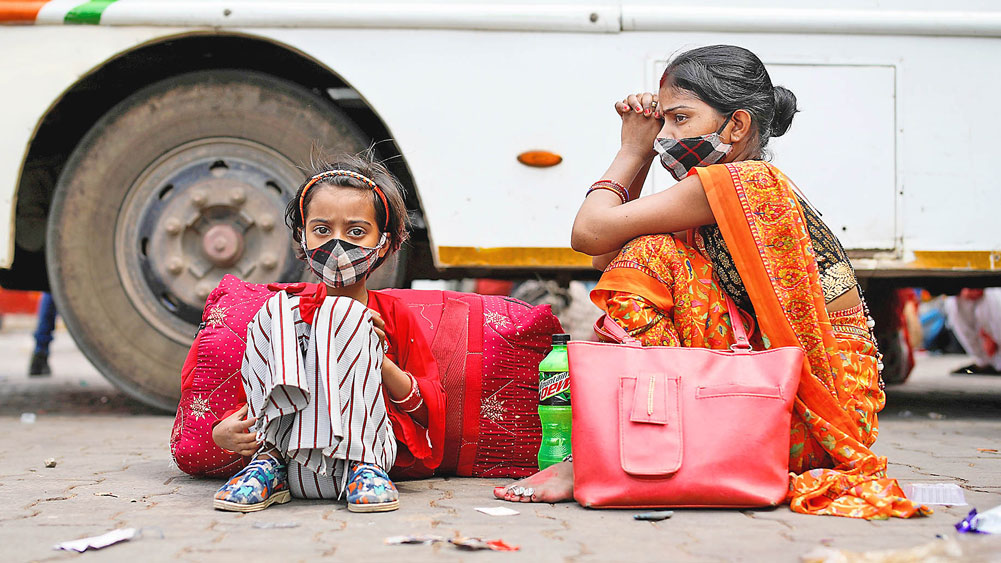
(488, 350)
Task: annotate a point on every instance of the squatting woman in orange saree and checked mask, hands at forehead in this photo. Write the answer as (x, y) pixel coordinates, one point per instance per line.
(734, 226)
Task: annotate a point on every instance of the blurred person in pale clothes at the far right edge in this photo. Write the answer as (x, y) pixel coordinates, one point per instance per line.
(975, 317)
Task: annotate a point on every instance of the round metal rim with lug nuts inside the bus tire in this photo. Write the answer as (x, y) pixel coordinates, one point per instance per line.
(205, 211)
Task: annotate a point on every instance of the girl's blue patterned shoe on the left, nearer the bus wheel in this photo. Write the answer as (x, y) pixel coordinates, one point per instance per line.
(258, 486)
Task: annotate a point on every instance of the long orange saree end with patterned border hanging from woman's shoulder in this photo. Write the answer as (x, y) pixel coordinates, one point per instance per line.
(766, 233)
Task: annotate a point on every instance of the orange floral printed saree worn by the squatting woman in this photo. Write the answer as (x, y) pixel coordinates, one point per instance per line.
(663, 291)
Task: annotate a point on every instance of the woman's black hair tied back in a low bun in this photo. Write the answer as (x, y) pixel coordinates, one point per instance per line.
(730, 79)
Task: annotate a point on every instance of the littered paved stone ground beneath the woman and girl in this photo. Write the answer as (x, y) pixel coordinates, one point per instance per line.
(115, 471)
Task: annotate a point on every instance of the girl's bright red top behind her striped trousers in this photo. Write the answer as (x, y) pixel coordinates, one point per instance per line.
(421, 448)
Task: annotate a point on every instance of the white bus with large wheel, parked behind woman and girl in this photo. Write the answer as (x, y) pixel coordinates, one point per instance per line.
(148, 148)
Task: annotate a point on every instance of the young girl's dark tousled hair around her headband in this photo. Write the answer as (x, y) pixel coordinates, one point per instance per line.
(393, 222)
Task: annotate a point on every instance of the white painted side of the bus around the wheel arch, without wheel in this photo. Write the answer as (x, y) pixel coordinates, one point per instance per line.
(893, 144)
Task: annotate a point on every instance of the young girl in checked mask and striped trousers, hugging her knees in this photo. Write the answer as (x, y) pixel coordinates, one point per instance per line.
(341, 382)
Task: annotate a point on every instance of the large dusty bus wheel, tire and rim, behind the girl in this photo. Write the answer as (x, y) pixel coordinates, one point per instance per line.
(179, 185)
